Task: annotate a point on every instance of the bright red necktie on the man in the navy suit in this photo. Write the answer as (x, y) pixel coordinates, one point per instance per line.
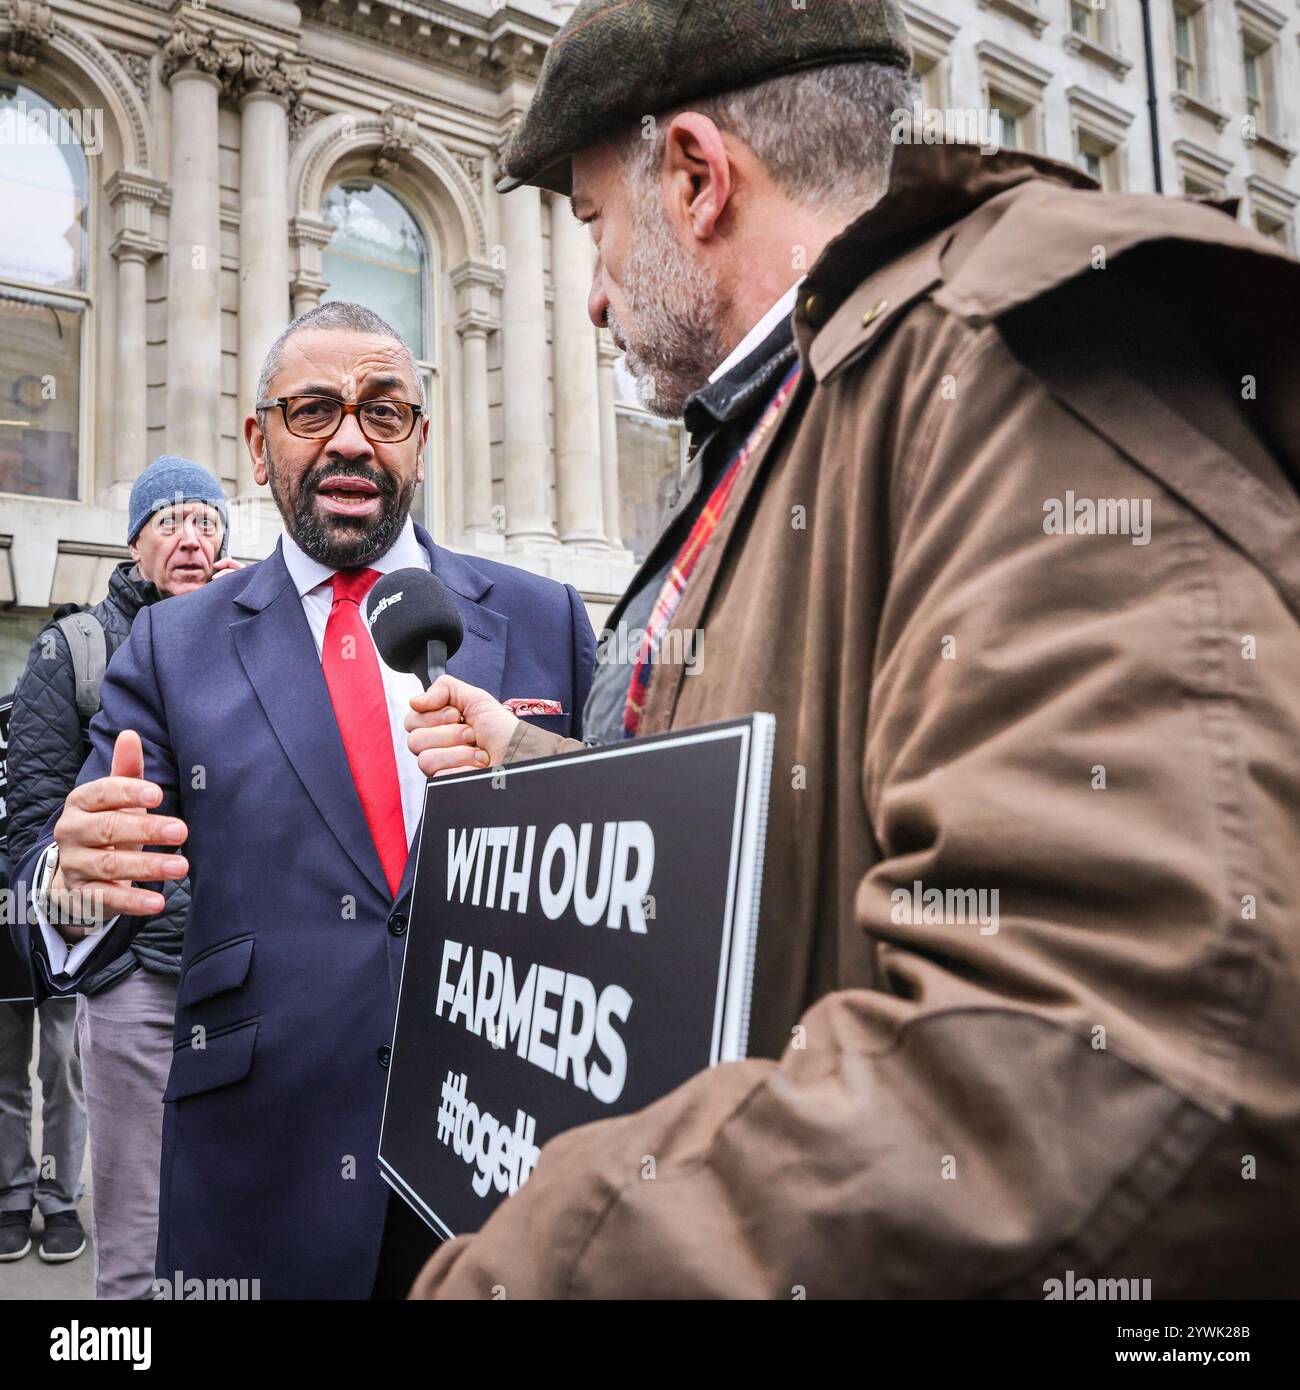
(361, 707)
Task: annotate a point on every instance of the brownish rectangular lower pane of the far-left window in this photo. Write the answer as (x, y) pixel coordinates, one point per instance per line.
(40, 387)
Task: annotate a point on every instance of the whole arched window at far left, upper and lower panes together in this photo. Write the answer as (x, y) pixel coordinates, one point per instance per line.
(45, 193)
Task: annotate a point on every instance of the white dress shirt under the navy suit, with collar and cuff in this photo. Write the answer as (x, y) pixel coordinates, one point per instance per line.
(316, 591)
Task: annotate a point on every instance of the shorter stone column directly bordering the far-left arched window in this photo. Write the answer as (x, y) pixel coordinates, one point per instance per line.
(131, 198)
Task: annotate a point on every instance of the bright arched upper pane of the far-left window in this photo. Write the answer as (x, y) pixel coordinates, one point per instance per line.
(44, 173)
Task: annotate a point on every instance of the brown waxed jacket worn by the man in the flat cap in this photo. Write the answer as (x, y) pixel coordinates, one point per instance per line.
(973, 696)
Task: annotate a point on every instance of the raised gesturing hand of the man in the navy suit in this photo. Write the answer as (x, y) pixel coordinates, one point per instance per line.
(102, 836)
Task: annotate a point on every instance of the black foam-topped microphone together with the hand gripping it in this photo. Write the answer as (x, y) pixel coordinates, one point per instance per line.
(418, 629)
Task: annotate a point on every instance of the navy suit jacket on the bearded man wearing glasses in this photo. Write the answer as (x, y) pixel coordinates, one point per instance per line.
(294, 943)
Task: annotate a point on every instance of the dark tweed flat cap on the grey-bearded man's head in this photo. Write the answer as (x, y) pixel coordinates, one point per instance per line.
(617, 62)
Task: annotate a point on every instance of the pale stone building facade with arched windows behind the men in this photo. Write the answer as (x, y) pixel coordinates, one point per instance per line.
(180, 177)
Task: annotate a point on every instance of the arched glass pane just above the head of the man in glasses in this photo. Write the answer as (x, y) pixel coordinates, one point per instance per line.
(377, 259)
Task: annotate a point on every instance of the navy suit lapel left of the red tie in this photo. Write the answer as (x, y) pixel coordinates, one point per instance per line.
(282, 662)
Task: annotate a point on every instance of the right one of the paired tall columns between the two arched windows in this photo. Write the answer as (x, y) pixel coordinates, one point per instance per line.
(263, 223)
